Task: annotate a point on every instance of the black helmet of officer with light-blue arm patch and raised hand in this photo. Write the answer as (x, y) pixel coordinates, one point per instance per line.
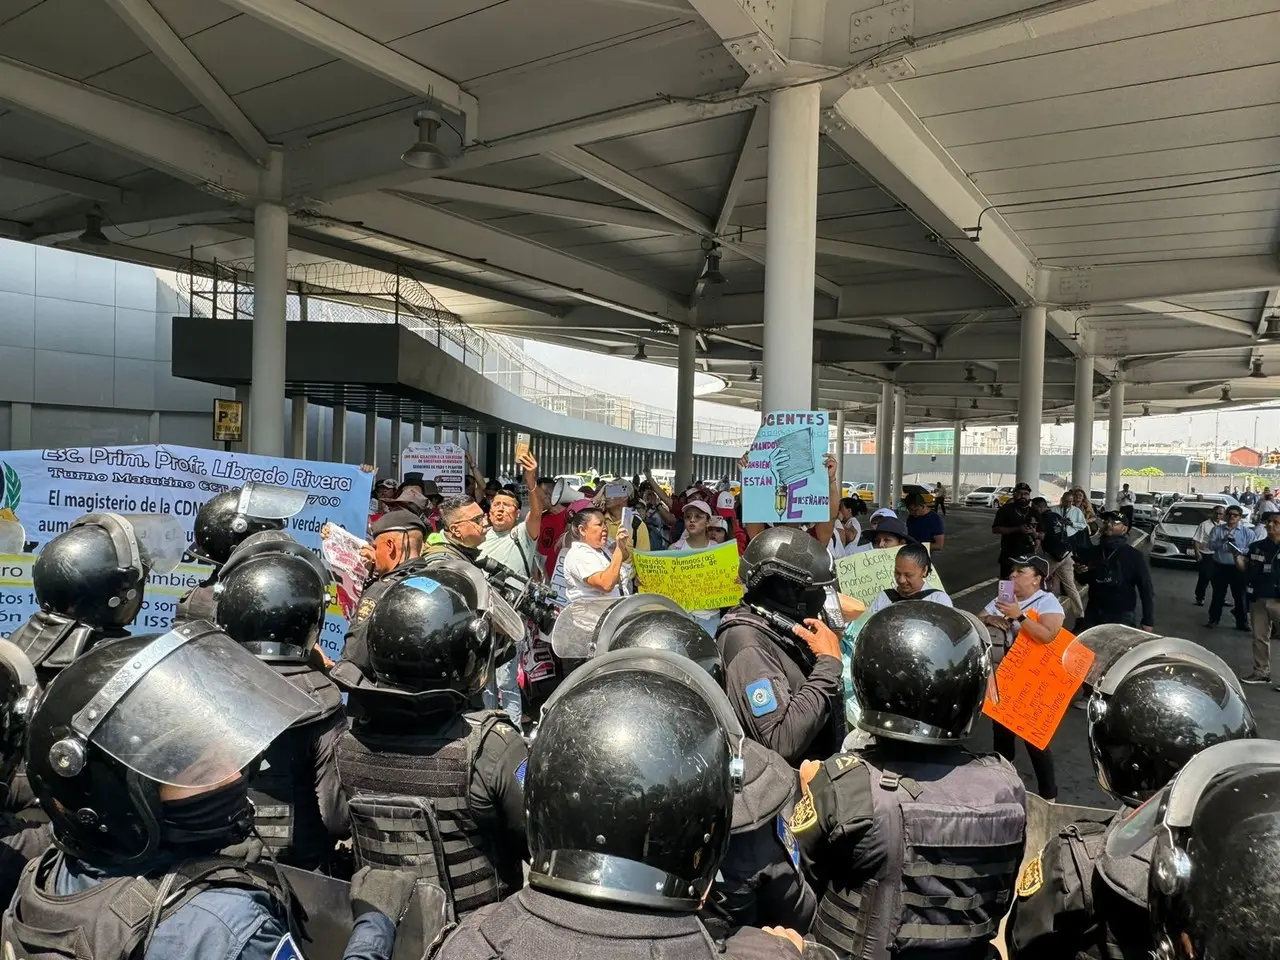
(788, 572)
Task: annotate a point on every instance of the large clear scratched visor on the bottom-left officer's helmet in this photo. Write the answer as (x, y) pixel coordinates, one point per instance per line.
(191, 710)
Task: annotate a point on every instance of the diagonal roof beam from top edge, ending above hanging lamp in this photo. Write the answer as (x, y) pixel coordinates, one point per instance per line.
(341, 42)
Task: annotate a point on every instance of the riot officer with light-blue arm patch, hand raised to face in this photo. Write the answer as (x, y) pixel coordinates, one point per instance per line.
(785, 685)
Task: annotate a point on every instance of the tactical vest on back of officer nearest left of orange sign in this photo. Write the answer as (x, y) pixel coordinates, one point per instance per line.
(954, 838)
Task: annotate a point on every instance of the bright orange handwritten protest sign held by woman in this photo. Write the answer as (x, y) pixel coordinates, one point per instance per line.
(1036, 684)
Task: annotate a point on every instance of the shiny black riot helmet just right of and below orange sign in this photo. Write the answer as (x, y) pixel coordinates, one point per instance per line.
(1155, 708)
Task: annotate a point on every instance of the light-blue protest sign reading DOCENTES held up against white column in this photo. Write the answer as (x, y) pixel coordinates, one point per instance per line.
(785, 481)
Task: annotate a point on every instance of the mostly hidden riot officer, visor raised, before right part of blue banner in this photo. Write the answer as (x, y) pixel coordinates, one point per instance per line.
(223, 524)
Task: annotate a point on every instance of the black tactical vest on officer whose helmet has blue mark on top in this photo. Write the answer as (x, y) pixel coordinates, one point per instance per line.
(410, 808)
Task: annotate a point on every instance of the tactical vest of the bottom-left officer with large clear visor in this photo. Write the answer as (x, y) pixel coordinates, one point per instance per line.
(117, 918)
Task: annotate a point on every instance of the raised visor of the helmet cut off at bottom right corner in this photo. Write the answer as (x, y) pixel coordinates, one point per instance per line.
(1174, 807)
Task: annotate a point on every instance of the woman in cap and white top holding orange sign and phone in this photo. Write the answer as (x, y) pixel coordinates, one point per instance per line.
(1007, 618)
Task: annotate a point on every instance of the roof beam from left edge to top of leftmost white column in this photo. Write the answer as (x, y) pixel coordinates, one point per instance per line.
(181, 149)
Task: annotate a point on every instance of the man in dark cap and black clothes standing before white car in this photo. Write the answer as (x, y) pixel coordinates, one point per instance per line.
(1118, 578)
